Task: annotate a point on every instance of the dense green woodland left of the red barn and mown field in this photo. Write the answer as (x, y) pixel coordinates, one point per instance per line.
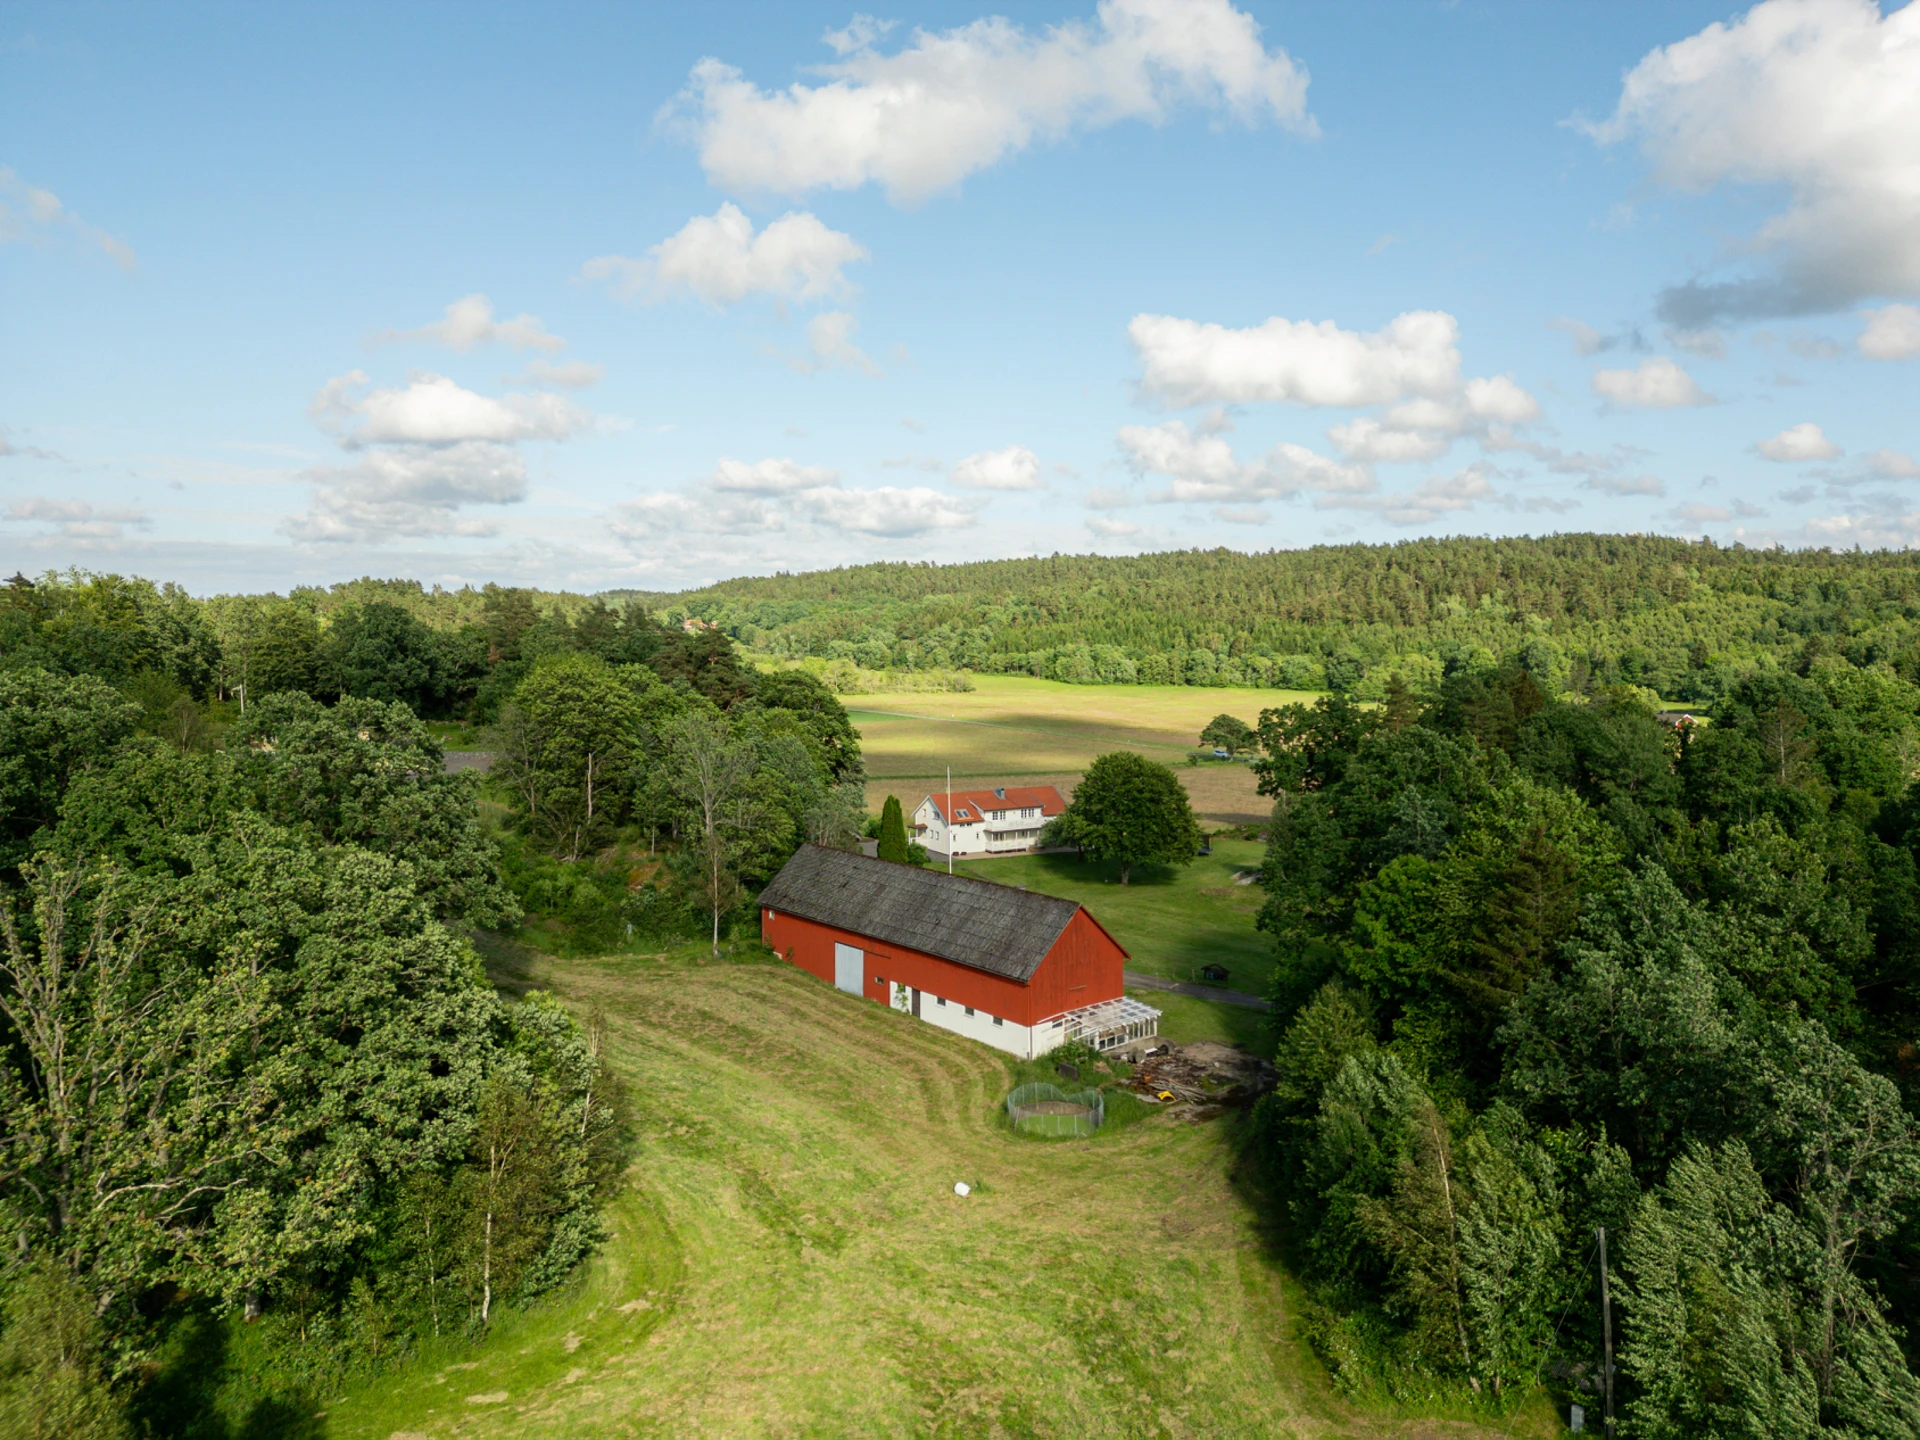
(264, 1122)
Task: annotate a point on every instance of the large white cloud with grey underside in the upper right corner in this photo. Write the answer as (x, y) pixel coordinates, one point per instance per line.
(1817, 97)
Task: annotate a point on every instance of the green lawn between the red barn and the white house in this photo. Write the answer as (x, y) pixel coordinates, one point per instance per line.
(1172, 923)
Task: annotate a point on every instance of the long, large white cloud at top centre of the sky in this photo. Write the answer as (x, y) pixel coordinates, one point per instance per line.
(953, 103)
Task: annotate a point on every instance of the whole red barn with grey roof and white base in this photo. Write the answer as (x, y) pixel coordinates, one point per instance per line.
(1017, 971)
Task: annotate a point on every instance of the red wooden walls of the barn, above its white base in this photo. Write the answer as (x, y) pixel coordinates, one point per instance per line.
(1084, 967)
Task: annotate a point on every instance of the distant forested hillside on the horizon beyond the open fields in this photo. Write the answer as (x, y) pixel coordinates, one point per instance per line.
(1669, 615)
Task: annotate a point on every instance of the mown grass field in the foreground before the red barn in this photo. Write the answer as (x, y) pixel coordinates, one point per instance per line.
(788, 1257)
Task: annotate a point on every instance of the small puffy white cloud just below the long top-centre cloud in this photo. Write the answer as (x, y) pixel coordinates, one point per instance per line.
(721, 260)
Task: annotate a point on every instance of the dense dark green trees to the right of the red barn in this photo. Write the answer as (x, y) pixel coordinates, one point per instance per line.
(1550, 967)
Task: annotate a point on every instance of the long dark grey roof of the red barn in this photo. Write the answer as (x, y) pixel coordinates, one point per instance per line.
(972, 923)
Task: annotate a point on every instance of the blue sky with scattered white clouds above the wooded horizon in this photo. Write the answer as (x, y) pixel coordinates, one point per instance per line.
(604, 297)
